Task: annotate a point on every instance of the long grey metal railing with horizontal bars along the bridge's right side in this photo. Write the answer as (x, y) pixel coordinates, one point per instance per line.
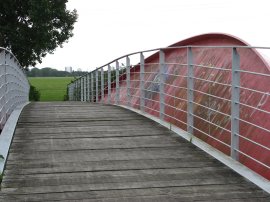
(218, 94)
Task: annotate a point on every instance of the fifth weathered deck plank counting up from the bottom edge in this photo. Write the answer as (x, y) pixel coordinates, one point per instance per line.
(106, 154)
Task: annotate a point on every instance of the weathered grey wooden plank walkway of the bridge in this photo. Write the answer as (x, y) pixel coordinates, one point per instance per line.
(91, 152)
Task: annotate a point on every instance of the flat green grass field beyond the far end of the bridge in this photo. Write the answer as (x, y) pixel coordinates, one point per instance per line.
(51, 88)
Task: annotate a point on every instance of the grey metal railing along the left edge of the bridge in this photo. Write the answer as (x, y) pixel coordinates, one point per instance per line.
(14, 86)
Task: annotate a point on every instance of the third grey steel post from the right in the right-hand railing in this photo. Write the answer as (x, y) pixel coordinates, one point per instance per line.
(161, 84)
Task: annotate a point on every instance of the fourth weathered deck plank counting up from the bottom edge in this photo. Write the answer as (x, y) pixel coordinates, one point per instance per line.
(84, 166)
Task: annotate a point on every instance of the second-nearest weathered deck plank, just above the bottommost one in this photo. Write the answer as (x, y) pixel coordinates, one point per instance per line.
(120, 185)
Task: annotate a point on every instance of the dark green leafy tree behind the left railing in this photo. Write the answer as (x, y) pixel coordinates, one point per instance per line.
(33, 28)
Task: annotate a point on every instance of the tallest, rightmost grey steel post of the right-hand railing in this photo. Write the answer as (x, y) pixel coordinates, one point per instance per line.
(235, 104)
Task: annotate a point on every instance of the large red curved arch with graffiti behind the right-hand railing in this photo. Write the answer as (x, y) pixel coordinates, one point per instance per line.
(251, 60)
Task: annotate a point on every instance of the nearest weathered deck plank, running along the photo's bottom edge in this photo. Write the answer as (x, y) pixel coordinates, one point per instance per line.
(195, 193)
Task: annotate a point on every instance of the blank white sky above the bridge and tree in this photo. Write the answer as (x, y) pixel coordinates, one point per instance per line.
(108, 29)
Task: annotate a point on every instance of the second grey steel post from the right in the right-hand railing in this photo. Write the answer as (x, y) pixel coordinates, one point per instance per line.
(190, 87)
